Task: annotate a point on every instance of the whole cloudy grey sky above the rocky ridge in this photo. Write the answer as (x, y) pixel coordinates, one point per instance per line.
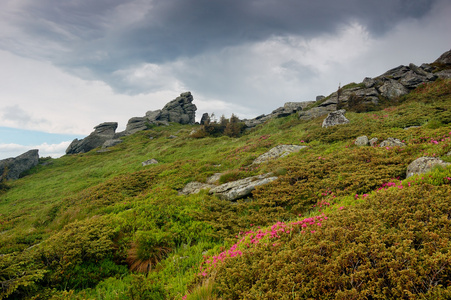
(67, 66)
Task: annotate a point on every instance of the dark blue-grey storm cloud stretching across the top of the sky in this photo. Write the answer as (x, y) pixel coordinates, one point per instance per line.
(102, 36)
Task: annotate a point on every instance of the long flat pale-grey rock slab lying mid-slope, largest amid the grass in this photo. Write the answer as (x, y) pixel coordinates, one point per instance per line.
(235, 190)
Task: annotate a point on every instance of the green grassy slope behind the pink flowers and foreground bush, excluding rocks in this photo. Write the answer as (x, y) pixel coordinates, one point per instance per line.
(125, 201)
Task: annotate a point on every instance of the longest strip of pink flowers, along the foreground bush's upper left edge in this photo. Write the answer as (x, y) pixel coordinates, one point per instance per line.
(252, 238)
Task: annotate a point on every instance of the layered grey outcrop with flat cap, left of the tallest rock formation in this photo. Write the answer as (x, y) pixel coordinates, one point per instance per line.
(102, 133)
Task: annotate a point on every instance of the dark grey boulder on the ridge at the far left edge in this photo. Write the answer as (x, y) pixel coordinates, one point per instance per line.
(13, 168)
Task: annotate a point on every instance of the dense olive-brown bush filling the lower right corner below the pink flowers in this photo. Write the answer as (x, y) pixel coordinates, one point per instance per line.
(396, 245)
